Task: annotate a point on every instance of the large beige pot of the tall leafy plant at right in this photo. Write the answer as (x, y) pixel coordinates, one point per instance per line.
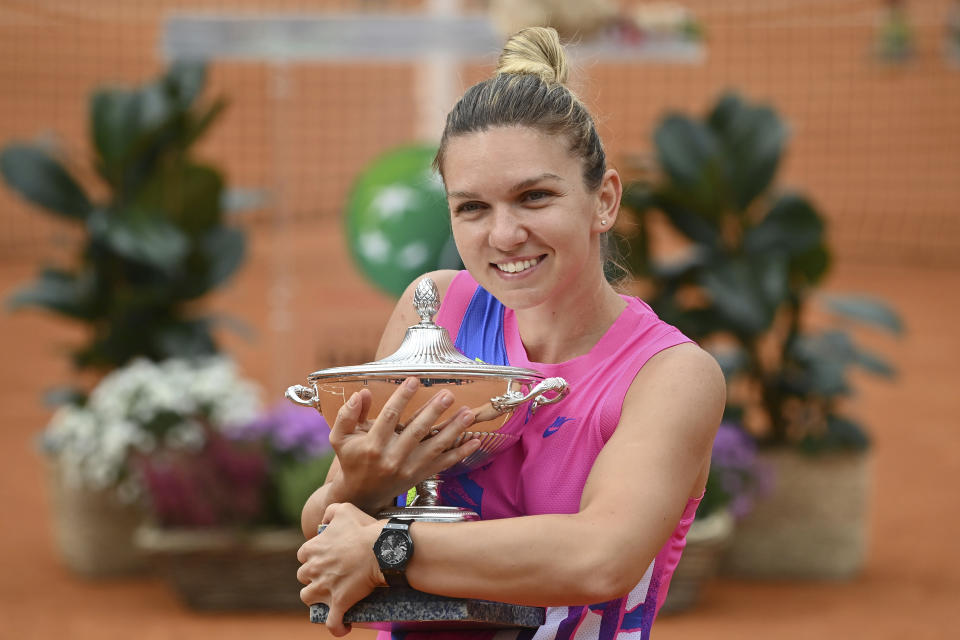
(813, 525)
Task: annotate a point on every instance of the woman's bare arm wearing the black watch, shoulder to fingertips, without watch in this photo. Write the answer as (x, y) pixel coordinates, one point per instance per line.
(657, 458)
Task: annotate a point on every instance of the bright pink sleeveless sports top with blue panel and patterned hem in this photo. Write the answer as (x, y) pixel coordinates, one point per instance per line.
(547, 470)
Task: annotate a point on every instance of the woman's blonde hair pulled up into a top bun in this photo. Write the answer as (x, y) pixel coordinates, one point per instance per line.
(528, 89)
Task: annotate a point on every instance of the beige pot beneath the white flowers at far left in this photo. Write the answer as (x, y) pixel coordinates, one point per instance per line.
(93, 530)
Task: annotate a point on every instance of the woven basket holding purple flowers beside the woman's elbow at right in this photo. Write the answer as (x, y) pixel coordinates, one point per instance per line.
(707, 540)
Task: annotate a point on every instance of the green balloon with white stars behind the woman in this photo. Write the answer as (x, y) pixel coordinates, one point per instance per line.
(398, 224)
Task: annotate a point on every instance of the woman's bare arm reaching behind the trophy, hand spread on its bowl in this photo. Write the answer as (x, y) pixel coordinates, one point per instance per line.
(378, 469)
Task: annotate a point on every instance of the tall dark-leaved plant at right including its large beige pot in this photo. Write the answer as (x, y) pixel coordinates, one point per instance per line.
(739, 274)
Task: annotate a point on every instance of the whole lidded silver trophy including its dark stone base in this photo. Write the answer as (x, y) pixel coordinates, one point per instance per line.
(493, 393)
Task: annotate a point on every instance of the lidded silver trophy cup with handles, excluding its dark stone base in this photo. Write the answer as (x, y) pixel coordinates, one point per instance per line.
(491, 392)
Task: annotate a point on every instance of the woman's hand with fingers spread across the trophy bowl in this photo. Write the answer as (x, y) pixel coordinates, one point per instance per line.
(377, 463)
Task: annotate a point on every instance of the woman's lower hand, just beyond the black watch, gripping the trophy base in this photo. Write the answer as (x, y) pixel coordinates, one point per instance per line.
(338, 566)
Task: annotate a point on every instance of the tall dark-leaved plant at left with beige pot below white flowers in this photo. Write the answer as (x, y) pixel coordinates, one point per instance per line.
(149, 247)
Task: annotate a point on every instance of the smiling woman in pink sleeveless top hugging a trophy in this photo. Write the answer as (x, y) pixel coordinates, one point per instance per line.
(588, 516)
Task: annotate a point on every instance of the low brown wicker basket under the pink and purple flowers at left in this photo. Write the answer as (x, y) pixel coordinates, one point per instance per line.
(226, 569)
